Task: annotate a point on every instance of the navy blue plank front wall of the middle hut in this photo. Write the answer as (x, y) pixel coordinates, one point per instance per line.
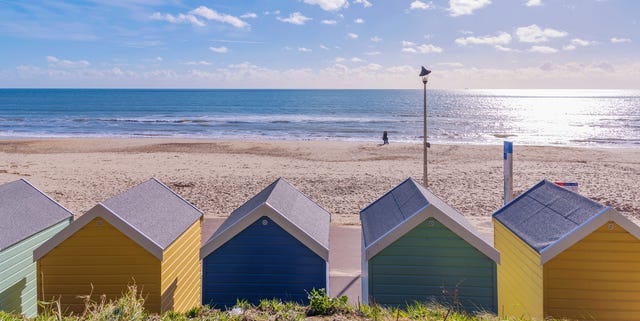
(261, 262)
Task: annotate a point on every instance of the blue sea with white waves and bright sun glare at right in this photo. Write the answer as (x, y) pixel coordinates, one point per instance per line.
(601, 118)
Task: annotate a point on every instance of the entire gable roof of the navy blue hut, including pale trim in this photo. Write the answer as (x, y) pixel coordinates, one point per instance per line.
(289, 208)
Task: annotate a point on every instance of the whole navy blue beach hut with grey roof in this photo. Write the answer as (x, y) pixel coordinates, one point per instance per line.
(276, 245)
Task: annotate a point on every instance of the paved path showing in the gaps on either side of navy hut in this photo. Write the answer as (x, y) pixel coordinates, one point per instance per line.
(344, 257)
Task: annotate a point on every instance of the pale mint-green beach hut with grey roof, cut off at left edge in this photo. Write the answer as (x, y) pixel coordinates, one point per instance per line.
(28, 217)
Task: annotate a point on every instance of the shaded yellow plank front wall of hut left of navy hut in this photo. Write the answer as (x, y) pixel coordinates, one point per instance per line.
(98, 259)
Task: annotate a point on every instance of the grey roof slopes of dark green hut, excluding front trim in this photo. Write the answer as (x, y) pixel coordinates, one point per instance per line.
(398, 205)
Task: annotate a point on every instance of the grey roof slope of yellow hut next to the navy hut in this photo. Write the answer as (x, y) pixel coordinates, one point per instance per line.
(155, 211)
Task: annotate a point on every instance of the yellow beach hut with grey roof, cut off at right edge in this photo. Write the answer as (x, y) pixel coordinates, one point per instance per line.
(566, 256)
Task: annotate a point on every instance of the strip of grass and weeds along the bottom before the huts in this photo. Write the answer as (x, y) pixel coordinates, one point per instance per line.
(321, 307)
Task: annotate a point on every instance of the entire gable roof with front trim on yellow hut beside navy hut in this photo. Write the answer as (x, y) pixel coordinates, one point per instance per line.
(150, 213)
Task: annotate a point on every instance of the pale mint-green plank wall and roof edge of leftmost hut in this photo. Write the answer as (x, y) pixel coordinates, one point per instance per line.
(18, 290)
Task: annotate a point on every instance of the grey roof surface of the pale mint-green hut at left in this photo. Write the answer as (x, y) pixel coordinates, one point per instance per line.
(25, 211)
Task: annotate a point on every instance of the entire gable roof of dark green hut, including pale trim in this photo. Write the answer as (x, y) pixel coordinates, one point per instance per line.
(406, 206)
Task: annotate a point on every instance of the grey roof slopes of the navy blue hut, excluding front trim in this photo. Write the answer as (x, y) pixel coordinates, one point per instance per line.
(294, 206)
